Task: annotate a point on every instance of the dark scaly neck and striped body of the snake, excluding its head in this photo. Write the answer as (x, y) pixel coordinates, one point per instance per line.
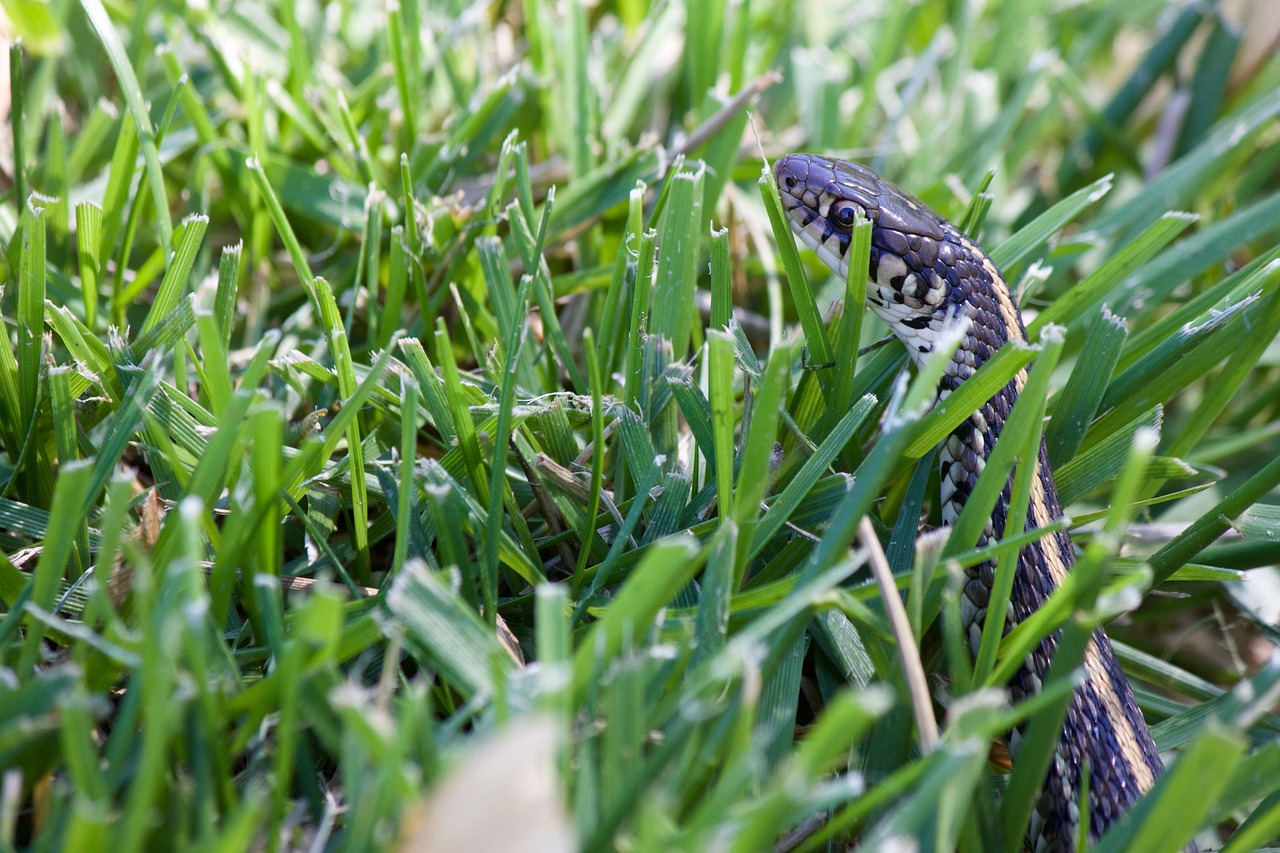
(918, 303)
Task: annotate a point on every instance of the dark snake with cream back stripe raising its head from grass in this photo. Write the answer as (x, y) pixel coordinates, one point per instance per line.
(925, 277)
